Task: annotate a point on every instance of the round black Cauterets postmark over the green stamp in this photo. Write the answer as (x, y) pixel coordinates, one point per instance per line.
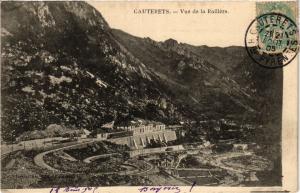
(271, 40)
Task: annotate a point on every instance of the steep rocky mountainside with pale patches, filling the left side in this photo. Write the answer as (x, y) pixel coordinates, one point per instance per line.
(61, 64)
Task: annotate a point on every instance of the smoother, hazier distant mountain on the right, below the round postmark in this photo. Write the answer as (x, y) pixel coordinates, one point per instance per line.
(223, 82)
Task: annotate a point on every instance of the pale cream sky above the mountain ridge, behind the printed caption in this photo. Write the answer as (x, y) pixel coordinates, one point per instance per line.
(220, 30)
